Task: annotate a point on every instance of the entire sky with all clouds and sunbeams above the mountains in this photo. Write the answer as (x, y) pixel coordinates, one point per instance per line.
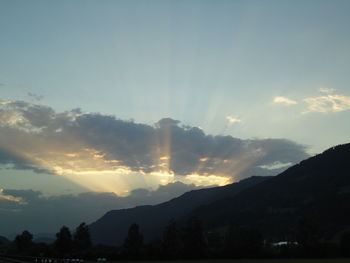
(112, 97)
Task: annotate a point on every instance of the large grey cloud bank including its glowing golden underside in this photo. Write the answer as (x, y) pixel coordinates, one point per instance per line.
(86, 147)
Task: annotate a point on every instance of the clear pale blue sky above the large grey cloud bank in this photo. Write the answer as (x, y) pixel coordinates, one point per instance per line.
(249, 69)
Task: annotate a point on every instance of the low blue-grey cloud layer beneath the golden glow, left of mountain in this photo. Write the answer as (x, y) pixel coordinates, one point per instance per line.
(28, 209)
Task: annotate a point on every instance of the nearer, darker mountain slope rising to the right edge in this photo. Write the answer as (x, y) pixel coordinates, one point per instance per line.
(317, 189)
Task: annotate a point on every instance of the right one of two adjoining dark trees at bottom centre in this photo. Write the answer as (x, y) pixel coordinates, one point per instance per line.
(193, 239)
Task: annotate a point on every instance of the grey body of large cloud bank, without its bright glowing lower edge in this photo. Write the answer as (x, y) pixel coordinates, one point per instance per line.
(34, 131)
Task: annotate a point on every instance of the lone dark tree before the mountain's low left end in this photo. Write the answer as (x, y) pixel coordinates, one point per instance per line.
(133, 243)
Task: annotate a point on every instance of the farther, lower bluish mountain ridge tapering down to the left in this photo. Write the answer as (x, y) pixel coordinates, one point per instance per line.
(113, 226)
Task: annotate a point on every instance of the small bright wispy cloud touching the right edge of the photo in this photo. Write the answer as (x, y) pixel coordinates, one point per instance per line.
(327, 103)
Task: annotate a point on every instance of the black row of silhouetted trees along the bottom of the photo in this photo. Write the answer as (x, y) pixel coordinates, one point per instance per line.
(187, 242)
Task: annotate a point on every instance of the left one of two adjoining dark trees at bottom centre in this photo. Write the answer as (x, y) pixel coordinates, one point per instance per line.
(172, 244)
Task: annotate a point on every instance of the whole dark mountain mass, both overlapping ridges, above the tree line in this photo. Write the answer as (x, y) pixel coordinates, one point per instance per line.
(316, 189)
